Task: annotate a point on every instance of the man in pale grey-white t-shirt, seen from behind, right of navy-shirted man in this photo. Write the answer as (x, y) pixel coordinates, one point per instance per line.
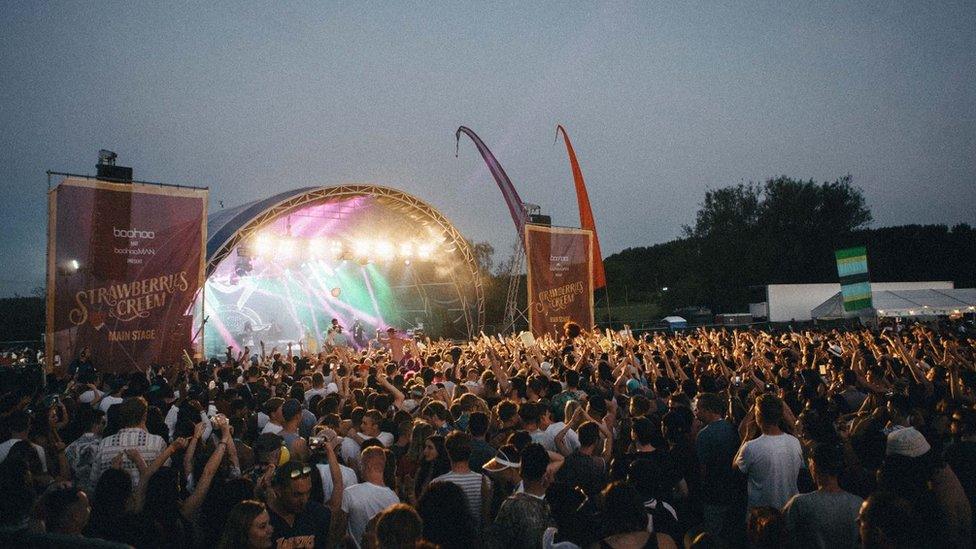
(771, 462)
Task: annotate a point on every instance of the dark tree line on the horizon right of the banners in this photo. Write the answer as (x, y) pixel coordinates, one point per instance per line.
(783, 231)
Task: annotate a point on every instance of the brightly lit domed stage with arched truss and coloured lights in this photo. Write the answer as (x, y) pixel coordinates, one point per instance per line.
(279, 269)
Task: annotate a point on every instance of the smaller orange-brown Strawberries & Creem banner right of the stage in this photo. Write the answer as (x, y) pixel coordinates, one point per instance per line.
(560, 277)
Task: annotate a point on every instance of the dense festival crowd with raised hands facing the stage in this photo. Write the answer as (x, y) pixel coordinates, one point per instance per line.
(825, 438)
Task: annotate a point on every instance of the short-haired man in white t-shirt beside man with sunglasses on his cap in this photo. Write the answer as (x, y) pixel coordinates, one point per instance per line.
(367, 499)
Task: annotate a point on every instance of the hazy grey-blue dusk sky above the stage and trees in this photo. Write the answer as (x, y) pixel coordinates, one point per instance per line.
(662, 101)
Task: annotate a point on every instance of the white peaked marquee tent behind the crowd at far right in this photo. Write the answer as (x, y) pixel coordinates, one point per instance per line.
(904, 303)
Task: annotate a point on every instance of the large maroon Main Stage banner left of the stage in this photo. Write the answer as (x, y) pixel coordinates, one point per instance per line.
(124, 264)
